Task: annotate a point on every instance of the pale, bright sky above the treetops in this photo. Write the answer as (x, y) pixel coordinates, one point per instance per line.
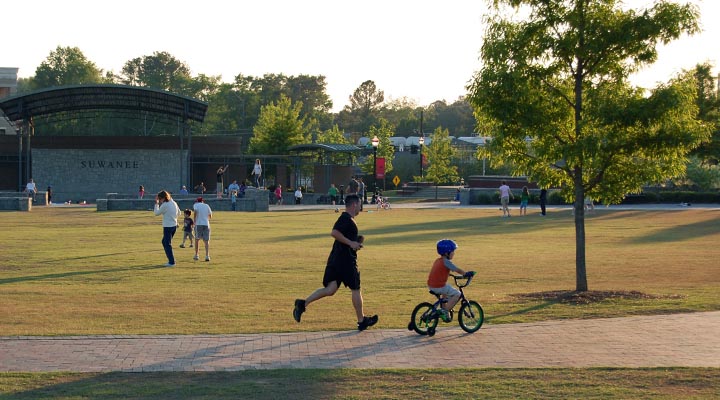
(416, 49)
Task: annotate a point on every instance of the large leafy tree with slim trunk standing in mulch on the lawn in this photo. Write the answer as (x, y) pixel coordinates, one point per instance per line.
(554, 85)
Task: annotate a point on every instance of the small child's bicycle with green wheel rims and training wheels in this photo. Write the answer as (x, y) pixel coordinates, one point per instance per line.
(426, 316)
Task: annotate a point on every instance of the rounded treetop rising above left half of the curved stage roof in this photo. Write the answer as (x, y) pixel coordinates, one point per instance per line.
(66, 66)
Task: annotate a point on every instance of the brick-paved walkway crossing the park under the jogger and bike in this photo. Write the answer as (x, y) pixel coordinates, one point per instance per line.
(689, 340)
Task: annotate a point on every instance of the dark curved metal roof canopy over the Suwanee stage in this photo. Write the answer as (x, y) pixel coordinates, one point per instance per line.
(101, 97)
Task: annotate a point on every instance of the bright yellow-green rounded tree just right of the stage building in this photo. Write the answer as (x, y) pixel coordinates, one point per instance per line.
(278, 128)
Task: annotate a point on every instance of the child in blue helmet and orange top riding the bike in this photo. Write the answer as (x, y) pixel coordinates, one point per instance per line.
(437, 280)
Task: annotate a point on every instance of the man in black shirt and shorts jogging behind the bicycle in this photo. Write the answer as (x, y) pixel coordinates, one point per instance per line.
(342, 266)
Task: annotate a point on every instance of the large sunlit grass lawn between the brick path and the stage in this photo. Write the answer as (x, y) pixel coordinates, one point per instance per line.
(66, 271)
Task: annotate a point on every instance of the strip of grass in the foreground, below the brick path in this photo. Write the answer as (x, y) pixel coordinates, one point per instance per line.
(665, 383)
